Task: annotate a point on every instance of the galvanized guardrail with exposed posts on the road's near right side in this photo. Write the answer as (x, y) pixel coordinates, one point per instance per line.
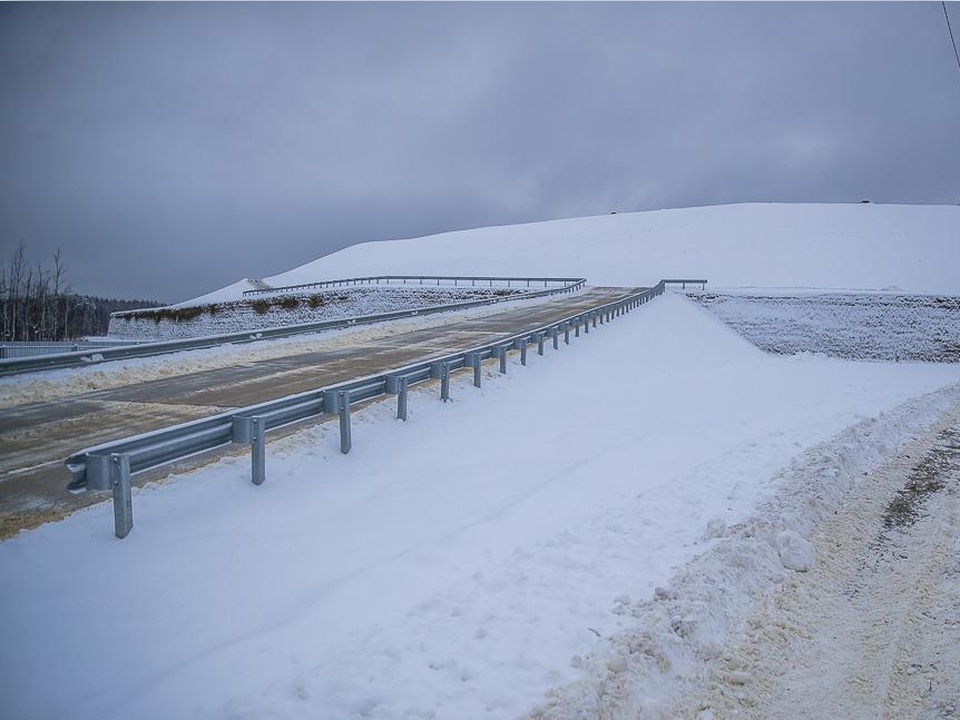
(109, 466)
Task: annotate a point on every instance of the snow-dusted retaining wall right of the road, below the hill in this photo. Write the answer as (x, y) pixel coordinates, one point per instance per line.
(867, 326)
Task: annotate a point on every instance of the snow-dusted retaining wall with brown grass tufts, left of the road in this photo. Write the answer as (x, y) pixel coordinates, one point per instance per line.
(176, 323)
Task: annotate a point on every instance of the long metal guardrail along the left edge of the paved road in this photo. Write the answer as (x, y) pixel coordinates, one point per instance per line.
(82, 358)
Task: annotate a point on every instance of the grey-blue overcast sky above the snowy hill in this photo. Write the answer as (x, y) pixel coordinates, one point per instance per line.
(171, 149)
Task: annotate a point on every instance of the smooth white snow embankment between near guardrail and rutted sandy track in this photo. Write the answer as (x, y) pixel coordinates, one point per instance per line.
(459, 565)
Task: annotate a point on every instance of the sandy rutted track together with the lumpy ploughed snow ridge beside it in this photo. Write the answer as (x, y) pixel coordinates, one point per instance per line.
(739, 634)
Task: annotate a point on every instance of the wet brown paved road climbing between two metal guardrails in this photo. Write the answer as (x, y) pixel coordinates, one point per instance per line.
(37, 437)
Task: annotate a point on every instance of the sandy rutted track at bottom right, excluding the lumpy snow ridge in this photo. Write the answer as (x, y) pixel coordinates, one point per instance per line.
(873, 631)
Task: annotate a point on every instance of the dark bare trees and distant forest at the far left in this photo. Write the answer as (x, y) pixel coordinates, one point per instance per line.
(36, 302)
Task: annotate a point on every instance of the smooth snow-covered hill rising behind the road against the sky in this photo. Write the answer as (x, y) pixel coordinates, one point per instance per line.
(911, 247)
